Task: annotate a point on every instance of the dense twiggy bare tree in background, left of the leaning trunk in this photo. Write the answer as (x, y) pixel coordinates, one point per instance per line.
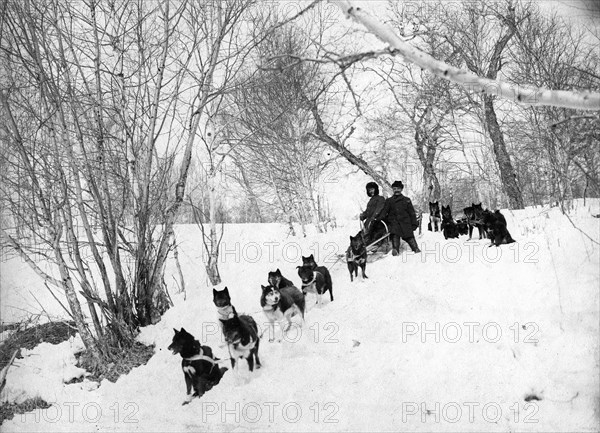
(273, 125)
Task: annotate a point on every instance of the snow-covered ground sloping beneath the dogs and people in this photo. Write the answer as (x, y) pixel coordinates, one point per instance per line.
(452, 339)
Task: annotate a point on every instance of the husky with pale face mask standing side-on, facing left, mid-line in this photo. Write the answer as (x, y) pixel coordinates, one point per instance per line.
(279, 304)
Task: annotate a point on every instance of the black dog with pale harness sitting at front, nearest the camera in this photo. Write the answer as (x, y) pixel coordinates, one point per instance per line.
(199, 366)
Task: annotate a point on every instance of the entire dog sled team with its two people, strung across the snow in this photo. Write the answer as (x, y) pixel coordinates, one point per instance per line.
(390, 219)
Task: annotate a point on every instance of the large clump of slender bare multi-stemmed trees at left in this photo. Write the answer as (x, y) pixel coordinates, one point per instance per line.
(97, 101)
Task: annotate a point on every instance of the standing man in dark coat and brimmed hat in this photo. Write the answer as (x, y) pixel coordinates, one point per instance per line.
(400, 216)
